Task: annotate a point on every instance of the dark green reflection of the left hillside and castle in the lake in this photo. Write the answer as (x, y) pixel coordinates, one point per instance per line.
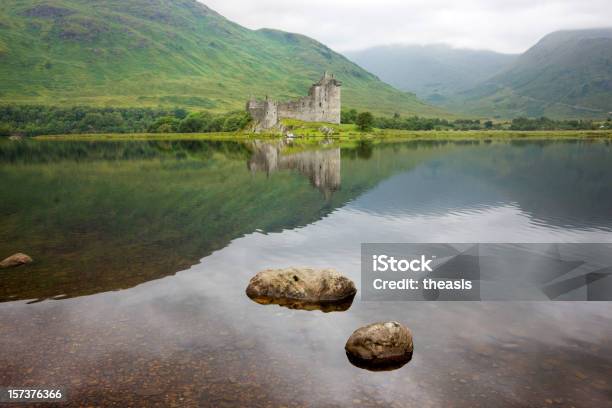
(100, 216)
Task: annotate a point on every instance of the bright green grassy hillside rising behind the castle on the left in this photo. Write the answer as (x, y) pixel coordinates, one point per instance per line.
(166, 53)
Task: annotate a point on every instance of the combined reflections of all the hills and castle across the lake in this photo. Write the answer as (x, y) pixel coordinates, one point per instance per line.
(101, 216)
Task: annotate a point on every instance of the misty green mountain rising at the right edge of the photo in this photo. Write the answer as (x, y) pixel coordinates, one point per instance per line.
(566, 74)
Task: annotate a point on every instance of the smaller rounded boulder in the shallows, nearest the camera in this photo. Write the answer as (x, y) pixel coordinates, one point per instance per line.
(380, 346)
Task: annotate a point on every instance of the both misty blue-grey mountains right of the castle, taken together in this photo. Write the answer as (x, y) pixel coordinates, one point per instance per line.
(567, 74)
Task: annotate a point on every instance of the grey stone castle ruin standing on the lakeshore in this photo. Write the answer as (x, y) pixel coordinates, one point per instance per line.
(321, 105)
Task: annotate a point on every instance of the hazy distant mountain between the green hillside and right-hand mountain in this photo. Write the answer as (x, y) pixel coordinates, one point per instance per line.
(433, 72)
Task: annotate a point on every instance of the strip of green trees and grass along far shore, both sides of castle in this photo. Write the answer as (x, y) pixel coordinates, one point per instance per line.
(36, 120)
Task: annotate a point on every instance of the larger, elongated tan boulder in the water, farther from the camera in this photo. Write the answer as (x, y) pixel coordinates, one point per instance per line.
(303, 288)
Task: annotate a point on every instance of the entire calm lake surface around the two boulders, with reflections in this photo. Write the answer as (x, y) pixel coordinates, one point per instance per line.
(144, 249)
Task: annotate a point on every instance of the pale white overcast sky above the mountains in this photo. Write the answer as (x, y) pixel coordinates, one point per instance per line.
(501, 25)
